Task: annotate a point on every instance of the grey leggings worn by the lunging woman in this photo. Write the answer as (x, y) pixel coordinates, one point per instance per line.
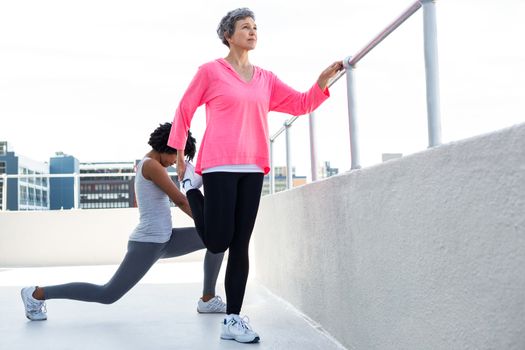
(138, 260)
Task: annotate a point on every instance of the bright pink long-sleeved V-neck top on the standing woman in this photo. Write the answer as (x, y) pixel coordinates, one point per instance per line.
(236, 113)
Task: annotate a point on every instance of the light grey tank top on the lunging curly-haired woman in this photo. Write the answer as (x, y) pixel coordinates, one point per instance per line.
(154, 209)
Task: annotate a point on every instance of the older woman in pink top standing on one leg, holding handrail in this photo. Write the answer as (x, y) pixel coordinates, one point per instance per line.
(233, 157)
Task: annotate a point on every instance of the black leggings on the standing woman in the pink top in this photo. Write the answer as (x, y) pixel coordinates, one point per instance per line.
(225, 219)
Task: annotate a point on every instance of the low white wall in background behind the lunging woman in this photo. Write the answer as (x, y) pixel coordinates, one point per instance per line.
(72, 237)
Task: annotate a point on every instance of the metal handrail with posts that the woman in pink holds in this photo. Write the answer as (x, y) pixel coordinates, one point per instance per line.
(431, 69)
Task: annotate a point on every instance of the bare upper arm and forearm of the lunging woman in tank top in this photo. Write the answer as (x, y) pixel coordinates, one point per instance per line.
(154, 171)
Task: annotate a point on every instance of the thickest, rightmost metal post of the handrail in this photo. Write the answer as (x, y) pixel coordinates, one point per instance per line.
(431, 72)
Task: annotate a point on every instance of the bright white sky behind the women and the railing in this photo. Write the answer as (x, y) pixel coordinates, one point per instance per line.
(94, 78)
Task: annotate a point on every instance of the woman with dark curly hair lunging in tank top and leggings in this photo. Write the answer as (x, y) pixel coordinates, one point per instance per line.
(153, 238)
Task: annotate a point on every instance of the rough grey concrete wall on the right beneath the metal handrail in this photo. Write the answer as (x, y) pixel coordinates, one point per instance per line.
(424, 252)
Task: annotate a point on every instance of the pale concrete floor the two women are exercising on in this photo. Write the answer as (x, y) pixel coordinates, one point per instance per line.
(159, 313)
